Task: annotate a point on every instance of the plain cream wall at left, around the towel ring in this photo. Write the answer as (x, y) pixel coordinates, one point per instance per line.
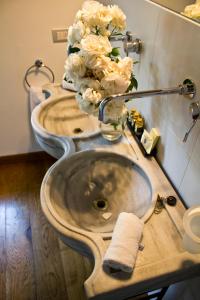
(25, 33)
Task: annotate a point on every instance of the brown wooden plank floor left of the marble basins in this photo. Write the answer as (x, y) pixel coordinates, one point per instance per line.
(34, 263)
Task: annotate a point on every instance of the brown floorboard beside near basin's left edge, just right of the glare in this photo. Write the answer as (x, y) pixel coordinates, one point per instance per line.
(49, 272)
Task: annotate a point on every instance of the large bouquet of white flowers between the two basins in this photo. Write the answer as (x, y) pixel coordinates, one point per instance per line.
(95, 68)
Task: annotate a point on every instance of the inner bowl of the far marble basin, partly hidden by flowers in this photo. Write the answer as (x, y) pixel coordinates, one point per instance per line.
(61, 116)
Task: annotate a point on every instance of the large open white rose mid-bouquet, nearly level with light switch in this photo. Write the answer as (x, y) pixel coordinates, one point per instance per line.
(96, 45)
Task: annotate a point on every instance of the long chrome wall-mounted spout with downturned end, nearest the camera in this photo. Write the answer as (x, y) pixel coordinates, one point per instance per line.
(187, 88)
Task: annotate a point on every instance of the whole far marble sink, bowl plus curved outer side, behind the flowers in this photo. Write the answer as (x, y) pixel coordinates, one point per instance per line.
(57, 122)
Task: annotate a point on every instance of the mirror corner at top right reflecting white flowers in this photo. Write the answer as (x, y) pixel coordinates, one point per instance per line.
(189, 8)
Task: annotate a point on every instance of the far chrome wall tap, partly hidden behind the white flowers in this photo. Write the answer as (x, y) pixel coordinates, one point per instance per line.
(131, 44)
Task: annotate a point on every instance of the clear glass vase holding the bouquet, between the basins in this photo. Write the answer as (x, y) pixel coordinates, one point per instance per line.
(115, 115)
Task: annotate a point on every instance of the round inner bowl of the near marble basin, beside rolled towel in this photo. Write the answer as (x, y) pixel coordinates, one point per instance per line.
(88, 190)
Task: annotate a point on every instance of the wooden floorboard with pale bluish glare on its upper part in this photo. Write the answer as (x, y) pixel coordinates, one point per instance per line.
(20, 283)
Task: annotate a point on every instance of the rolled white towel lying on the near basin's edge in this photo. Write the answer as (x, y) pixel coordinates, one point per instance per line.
(122, 251)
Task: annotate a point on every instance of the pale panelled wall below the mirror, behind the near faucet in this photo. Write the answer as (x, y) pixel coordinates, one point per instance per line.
(170, 54)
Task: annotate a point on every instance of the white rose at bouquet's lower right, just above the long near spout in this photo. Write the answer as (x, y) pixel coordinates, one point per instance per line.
(115, 84)
